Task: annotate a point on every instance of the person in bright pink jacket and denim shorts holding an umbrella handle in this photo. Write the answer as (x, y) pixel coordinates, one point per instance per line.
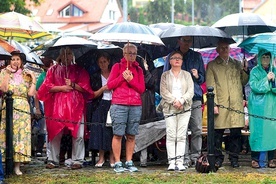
(126, 80)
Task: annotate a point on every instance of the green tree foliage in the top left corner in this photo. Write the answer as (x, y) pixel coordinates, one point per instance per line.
(16, 5)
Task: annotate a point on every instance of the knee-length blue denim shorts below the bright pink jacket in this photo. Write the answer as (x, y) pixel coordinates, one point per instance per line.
(125, 119)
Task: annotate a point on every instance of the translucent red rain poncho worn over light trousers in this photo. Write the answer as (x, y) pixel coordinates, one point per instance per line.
(64, 106)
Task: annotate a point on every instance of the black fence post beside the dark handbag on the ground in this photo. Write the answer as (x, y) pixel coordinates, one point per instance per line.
(211, 129)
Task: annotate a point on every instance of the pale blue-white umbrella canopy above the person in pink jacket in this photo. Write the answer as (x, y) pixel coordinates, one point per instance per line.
(128, 32)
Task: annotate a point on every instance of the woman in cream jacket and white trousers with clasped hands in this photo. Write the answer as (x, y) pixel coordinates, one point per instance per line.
(177, 90)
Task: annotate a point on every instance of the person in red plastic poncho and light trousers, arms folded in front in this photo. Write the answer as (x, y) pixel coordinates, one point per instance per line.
(64, 93)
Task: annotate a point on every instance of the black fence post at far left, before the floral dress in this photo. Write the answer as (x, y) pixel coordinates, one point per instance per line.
(9, 134)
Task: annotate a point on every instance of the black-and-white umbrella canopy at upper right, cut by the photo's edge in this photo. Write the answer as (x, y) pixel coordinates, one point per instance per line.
(244, 24)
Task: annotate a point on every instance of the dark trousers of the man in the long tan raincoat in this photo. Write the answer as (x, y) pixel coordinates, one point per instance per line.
(233, 147)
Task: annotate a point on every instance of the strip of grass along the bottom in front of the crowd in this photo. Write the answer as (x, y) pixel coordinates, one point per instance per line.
(84, 176)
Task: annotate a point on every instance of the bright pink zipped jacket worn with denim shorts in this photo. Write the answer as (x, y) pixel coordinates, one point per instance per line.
(126, 93)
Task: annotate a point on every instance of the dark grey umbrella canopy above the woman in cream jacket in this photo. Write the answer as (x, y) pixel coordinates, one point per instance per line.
(203, 36)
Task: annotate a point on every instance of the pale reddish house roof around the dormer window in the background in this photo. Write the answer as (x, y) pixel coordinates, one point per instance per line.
(48, 14)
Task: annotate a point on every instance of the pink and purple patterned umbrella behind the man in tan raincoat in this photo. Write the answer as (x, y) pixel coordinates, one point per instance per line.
(209, 54)
